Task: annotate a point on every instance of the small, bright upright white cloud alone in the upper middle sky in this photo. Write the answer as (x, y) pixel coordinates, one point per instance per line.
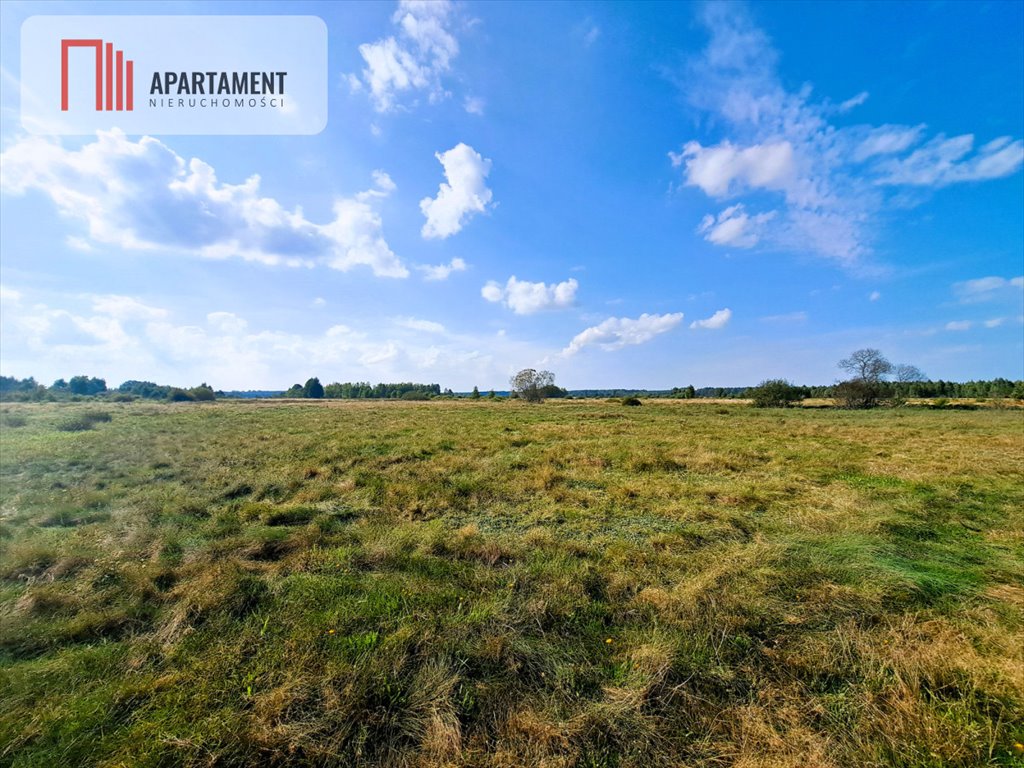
(464, 195)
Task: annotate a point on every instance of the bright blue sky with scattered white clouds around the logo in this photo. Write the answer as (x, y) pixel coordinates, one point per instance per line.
(628, 195)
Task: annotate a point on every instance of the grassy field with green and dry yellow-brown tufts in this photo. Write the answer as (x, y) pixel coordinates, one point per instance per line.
(494, 584)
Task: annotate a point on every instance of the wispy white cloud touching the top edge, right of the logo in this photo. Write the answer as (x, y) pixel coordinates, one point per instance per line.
(414, 60)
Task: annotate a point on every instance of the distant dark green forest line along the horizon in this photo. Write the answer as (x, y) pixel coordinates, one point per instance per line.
(84, 387)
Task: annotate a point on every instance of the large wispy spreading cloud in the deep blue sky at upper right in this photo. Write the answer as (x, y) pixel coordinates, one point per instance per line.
(831, 183)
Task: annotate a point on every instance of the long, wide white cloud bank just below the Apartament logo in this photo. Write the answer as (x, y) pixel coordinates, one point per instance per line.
(143, 196)
